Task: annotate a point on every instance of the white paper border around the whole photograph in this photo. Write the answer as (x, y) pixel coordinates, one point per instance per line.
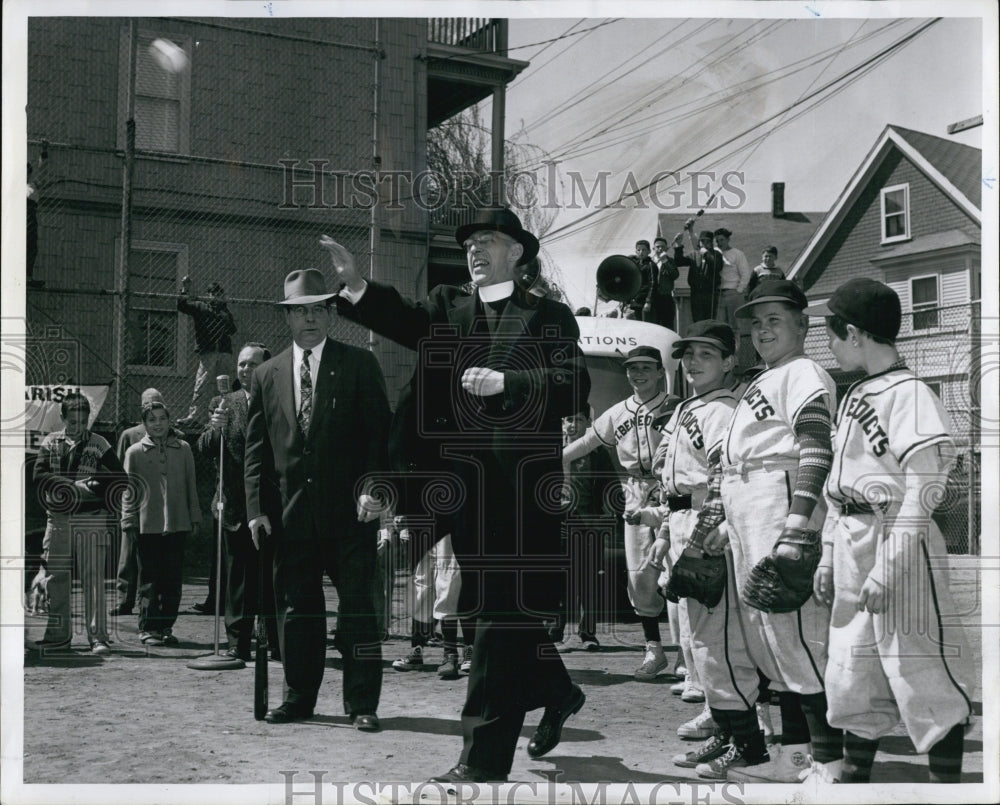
(14, 56)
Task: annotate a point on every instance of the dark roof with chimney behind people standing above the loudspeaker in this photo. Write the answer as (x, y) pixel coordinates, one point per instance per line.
(752, 231)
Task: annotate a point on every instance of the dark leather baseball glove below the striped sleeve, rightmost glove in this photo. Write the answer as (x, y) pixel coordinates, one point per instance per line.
(783, 581)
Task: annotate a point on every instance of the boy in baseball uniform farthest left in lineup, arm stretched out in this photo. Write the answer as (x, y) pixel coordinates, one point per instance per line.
(633, 428)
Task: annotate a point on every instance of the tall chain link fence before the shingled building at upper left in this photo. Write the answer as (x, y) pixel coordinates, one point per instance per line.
(234, 166)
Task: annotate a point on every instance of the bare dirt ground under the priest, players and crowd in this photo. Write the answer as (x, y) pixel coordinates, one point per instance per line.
(141, 716)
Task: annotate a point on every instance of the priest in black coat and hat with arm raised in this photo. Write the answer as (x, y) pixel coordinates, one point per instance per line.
(497, 370)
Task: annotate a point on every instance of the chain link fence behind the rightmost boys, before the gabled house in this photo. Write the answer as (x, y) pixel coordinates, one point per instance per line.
(942, 346)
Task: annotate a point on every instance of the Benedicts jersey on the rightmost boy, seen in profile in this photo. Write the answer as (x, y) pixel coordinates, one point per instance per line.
(882, 421)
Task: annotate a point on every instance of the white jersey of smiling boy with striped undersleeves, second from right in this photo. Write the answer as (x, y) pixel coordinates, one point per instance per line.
(763, 422)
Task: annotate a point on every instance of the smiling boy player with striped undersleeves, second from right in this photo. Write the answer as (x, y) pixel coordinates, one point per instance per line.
(767, 480)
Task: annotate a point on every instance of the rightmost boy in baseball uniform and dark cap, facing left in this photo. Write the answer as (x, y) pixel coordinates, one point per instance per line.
(891, 657)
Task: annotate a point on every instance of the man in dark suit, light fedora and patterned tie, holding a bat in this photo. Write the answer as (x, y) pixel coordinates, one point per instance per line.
(317, 429)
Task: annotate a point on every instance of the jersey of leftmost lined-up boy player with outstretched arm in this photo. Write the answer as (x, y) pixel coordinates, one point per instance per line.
(634, 429)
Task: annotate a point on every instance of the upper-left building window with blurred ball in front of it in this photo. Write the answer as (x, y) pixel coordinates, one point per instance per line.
(162, 99)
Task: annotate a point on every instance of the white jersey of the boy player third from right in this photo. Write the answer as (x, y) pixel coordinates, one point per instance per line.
(697, 426)
